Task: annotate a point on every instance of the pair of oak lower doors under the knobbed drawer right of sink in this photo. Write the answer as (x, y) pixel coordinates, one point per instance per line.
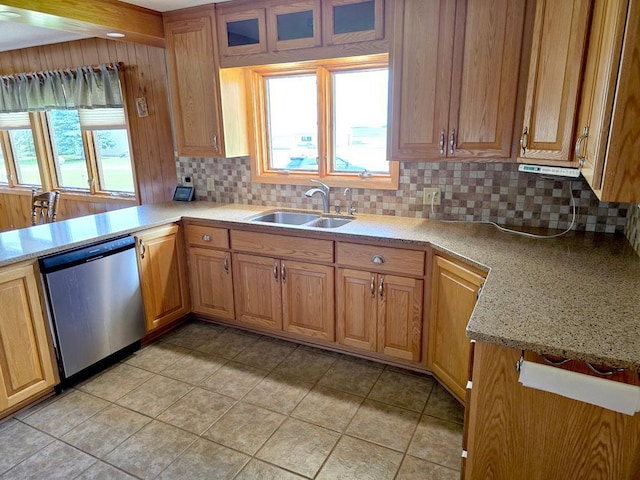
(380, 313)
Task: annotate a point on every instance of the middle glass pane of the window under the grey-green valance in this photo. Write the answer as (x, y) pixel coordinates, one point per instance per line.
(68, 149)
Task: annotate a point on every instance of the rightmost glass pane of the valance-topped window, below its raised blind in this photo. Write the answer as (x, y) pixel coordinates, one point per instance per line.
(114, 160)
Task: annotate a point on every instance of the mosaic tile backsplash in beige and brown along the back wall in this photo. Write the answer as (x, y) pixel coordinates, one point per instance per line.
(470, 191)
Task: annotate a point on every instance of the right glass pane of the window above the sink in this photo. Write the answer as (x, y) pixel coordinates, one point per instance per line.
(360, 129)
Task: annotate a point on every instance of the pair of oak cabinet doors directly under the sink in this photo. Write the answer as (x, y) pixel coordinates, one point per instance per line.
(296, 297)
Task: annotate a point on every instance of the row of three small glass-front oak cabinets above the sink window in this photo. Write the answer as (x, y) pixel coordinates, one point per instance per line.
(275, 31)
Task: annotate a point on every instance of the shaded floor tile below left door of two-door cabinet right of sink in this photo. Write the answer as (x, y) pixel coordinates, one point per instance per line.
(357, 377)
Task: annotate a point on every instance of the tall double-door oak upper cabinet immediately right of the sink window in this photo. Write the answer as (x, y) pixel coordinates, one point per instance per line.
(455, 69)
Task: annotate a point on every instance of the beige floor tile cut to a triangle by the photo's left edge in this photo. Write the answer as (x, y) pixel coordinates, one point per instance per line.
(19, 441)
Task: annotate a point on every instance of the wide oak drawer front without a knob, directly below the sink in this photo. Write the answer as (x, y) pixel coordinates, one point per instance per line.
(283, 246)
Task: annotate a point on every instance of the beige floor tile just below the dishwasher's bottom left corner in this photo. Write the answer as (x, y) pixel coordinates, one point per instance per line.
(66, 413)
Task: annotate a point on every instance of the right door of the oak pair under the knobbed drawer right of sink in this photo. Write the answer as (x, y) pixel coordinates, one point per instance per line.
(400, 317)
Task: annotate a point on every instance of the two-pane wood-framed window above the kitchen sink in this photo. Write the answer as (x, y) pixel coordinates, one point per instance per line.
(324, 119)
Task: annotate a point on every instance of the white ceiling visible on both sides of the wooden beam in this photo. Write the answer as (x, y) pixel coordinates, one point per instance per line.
(20, 35)
